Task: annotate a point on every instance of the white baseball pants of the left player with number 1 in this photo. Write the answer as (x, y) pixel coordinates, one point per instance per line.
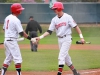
(12, 52)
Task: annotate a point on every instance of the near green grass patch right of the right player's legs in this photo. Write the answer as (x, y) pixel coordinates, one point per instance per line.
(86, 59)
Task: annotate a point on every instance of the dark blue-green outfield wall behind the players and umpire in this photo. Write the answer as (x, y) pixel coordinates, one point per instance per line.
(81, 12)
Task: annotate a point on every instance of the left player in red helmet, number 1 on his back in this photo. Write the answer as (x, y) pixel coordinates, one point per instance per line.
(12, 28)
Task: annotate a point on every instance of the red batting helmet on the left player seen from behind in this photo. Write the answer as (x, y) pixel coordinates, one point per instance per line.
(16, 8)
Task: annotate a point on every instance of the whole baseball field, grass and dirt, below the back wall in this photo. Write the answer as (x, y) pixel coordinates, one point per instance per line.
(86, 58)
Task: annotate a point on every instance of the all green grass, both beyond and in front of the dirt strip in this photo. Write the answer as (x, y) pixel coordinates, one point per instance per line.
(47, 60)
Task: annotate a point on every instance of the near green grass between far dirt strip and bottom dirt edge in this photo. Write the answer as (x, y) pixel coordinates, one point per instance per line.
(47, 60)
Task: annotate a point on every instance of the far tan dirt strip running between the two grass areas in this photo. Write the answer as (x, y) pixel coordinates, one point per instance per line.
(52, 47)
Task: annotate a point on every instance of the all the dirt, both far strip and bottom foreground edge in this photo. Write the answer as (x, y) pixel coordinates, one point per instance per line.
(52, 47)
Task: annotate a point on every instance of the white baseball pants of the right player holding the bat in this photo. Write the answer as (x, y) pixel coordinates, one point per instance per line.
(64, 46)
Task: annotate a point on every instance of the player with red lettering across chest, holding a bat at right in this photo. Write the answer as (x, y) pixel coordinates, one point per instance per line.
(63, 23)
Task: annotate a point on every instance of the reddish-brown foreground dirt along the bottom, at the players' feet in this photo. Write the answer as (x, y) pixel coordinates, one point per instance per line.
(82, 72)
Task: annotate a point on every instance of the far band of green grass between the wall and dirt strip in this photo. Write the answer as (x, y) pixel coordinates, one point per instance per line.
(91, 34)
